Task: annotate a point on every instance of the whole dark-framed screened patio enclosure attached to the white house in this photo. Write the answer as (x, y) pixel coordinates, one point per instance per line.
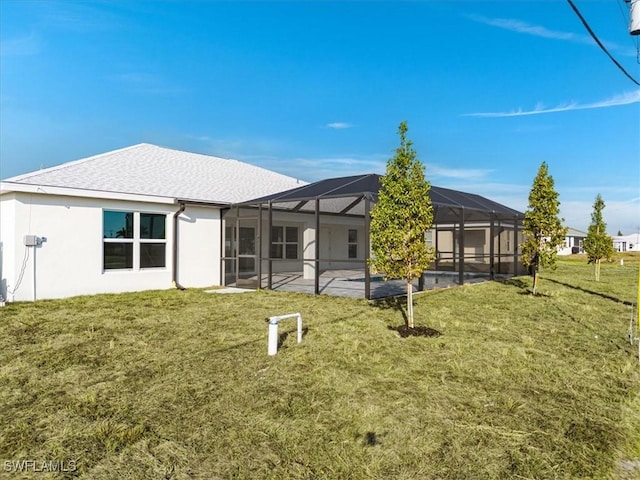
(315, 239)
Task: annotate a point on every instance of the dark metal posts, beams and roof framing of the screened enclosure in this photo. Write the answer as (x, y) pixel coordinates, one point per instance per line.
(451, 207)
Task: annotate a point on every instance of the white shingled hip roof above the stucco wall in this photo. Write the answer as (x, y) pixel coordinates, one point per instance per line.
(146, 169)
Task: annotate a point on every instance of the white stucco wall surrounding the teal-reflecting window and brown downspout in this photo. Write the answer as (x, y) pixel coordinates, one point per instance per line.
(70, 261)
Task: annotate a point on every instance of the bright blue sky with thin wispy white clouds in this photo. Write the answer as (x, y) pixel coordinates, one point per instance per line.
(317, 89)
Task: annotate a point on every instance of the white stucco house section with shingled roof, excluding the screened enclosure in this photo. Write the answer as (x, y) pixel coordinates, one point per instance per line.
(109, 223)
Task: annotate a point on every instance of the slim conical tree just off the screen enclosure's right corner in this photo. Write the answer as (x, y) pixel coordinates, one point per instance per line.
(543, 228)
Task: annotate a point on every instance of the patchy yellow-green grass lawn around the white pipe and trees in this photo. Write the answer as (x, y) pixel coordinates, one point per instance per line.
(178, 385)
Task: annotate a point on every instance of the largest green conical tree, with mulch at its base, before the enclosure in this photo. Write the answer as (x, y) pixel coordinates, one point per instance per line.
(401, 218)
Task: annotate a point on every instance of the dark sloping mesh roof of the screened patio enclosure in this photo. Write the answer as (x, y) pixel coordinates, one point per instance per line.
(339, 195)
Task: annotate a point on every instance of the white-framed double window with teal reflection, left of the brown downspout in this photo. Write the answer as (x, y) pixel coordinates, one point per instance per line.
(133, 240)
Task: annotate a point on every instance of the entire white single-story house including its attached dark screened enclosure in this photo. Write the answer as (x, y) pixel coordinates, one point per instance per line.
(147, 217)
